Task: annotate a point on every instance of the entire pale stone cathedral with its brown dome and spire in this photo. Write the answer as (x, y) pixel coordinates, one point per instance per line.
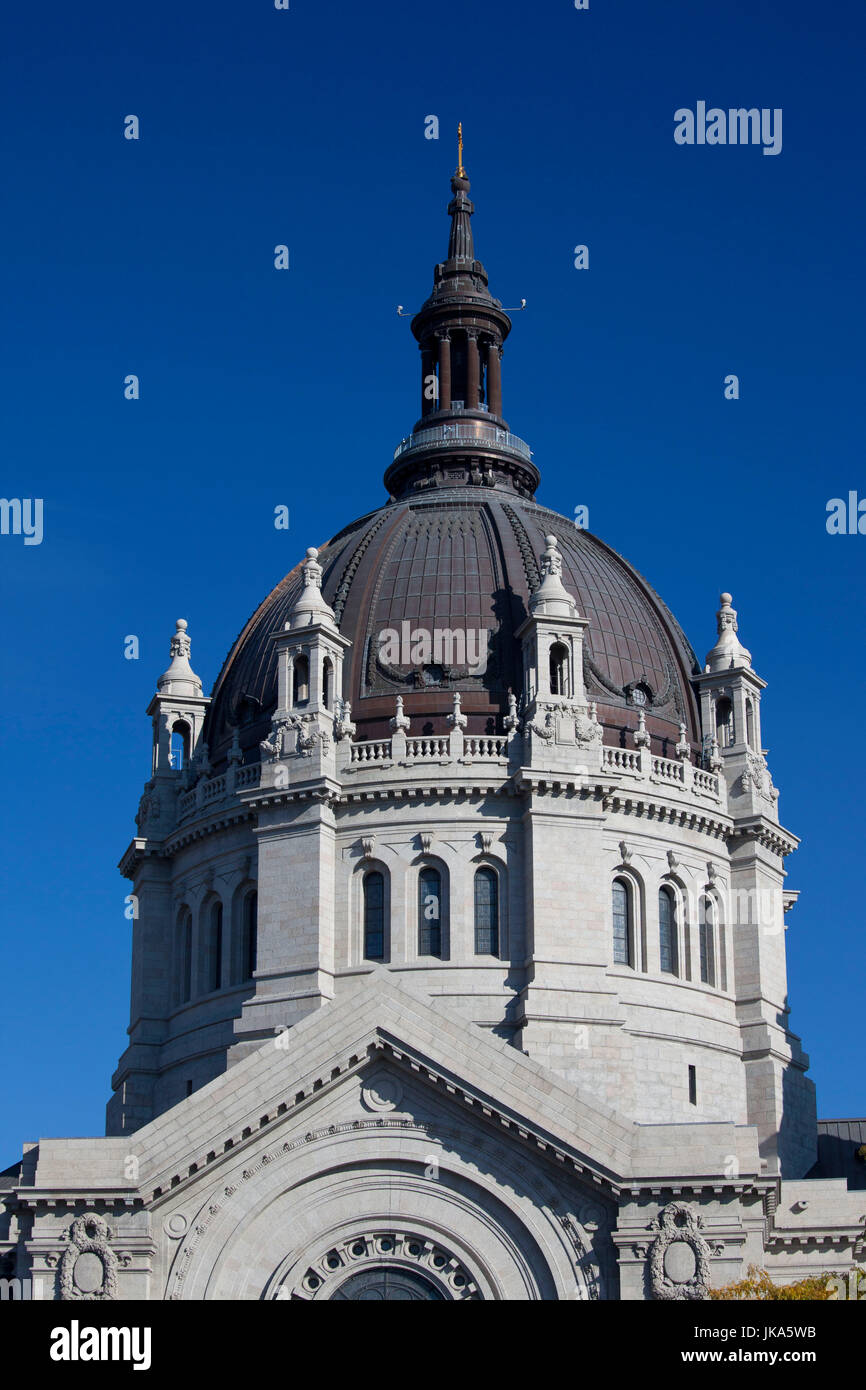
(490, 1003)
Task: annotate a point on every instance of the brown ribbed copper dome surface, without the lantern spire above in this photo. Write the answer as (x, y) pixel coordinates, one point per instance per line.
(465, 559)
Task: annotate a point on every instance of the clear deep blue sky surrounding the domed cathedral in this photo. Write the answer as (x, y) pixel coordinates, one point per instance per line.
(307, 127)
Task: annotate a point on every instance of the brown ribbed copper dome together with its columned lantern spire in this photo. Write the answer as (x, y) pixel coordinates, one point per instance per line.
(433, 589)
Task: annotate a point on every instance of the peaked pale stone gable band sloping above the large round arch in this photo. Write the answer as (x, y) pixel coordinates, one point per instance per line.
(383, 1027)
